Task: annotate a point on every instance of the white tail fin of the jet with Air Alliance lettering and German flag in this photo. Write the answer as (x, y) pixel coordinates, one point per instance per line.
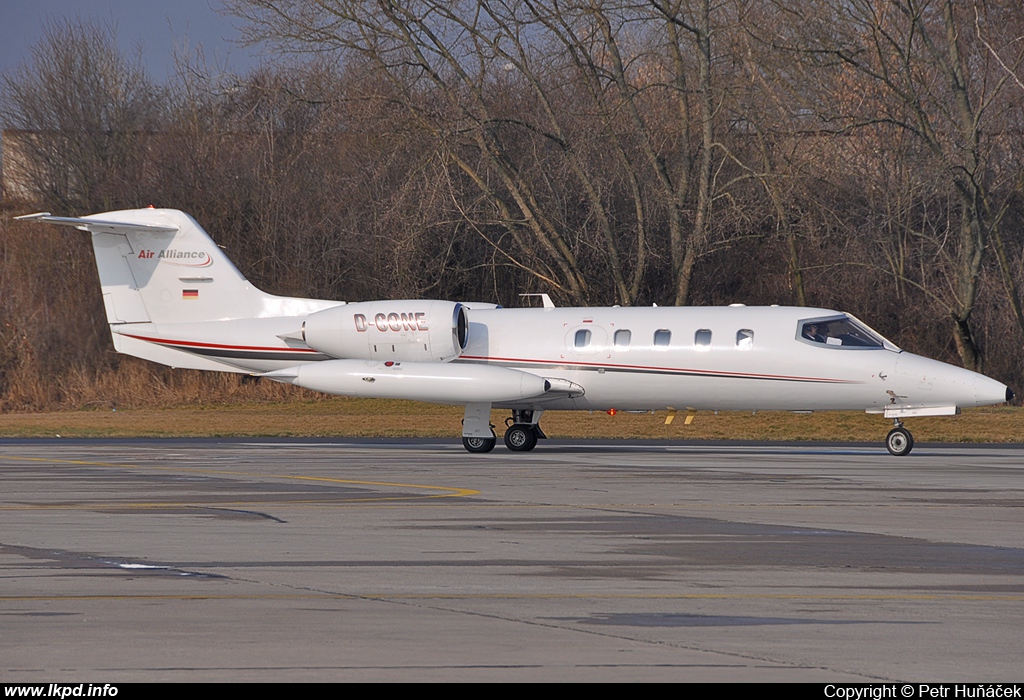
(158, 266)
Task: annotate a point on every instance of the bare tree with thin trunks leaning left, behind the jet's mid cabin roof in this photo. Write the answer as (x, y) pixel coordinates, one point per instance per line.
(422, 51)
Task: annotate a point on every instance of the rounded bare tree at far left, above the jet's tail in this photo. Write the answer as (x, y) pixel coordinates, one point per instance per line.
(84, 113)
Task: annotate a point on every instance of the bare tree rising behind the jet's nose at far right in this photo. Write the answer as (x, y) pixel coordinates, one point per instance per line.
(917, 66)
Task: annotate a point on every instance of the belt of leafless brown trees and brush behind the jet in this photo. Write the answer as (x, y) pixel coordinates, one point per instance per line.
(859, 154)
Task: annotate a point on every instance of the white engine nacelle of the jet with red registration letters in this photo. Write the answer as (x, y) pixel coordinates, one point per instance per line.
(404, 331)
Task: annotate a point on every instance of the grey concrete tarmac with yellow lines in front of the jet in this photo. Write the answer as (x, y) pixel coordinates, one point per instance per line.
(364, 560)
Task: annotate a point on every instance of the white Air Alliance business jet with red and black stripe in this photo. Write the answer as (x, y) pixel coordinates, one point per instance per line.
(174, 297)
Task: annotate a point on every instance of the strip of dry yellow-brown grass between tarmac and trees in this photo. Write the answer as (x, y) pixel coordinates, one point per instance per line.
(368, 418)
